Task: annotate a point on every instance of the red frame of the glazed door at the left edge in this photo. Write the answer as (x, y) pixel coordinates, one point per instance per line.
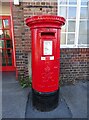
(6, 57)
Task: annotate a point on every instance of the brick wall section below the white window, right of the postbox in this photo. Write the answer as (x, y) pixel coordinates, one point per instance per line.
(74, 65)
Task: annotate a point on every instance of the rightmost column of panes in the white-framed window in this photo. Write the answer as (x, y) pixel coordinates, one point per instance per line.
(83, 27)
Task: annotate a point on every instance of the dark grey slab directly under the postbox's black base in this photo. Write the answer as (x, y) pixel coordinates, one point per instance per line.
(62, 111)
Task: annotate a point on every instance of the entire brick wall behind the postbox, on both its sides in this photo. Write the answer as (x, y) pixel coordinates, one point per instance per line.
(74, 62)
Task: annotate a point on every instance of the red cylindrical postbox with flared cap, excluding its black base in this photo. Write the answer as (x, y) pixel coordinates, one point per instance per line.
(45, 66)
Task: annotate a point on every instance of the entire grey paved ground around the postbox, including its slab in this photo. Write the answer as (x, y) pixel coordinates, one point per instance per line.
(15, 102)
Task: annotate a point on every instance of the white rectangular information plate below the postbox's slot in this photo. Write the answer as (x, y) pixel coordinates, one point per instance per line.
(47, 47)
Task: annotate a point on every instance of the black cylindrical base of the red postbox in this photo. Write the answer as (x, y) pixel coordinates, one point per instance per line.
(45, 101)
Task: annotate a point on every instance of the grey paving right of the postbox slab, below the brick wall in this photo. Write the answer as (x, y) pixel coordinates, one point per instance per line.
(76, 98)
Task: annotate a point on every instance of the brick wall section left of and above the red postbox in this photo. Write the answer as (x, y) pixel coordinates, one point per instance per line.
(22, 33)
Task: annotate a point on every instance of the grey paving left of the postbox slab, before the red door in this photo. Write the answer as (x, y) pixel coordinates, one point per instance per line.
(14, 98)
